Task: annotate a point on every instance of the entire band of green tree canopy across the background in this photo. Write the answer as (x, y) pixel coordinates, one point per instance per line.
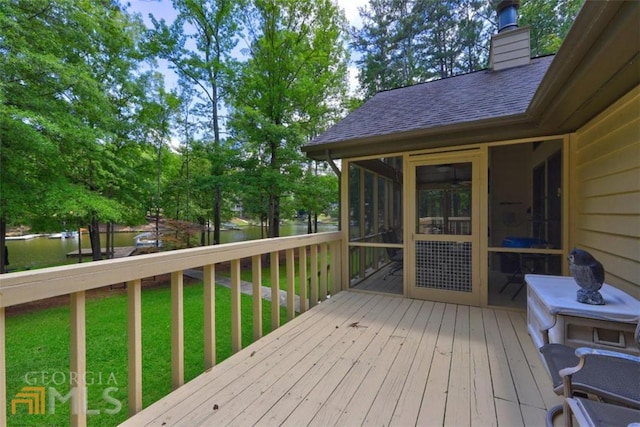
(90, 135)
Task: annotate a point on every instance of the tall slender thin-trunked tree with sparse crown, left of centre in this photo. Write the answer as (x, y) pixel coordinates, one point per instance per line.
(203, 57)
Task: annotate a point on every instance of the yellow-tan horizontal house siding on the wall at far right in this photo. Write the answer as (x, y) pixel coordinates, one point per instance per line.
(606, 195)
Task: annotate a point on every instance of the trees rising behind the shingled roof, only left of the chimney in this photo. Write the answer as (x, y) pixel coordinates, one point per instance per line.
(406, 42)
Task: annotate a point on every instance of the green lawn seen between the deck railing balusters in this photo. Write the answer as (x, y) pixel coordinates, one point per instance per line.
(37, 352)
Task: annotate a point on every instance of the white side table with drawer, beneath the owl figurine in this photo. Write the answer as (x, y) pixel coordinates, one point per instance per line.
(554, 315)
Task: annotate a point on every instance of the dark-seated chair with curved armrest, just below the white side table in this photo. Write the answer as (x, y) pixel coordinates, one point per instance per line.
(611, 377)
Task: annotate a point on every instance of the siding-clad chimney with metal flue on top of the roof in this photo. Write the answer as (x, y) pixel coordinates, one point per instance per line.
(511, 47)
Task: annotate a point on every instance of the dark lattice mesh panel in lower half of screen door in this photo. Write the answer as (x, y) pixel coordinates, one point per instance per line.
(444, 265)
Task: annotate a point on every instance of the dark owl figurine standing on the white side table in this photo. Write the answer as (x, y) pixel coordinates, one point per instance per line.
(588, 274)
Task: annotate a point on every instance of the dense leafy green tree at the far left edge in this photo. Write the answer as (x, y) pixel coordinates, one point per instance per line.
(66, 70)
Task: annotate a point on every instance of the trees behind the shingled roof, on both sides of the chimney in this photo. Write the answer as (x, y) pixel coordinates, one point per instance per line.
(405, 42)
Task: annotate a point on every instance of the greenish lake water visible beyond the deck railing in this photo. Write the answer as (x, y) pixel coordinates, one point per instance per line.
(42, 252)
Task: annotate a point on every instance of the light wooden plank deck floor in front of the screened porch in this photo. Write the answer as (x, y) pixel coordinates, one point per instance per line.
(362, 359)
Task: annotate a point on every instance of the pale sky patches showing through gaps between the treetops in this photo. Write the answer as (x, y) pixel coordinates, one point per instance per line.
(163, 9)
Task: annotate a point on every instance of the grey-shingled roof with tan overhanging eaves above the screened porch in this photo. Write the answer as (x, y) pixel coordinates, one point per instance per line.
(597, 64)
